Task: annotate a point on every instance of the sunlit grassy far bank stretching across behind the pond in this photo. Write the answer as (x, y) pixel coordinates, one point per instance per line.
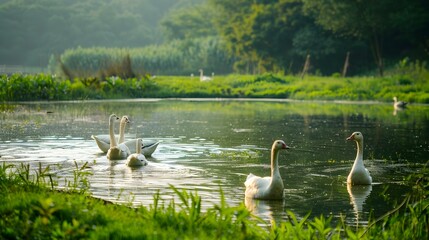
(407, 87)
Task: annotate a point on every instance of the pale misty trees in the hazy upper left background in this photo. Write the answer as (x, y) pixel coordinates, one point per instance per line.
(33, 30)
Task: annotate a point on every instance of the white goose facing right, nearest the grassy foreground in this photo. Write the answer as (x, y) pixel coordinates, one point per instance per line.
(267, 187)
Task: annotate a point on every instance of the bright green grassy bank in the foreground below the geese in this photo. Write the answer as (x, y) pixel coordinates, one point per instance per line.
(31, 208)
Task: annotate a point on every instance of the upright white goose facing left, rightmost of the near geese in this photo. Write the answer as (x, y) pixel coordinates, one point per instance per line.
(359, 175)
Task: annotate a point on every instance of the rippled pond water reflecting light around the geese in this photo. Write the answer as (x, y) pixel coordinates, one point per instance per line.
(212, 144)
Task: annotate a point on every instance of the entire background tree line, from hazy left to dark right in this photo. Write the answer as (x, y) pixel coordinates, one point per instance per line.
(325, 36)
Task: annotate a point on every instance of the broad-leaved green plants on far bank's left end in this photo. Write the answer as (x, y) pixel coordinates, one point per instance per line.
(46, 87)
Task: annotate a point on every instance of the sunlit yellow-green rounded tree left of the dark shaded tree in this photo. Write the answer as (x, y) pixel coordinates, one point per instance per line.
(273, 35)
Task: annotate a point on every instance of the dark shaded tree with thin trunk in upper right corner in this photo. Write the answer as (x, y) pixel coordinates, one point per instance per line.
(385, 26)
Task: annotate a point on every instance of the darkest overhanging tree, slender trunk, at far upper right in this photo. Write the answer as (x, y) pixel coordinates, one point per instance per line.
(373, 21)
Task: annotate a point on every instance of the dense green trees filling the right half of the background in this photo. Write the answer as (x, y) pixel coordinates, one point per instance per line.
(270, 35)
